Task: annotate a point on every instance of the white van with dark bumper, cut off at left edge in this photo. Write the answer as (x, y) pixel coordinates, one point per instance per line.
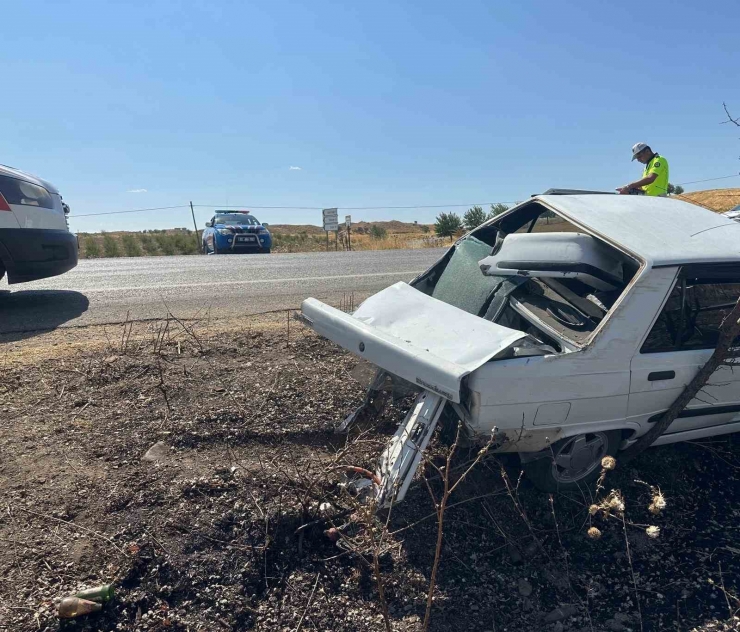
(35, 241)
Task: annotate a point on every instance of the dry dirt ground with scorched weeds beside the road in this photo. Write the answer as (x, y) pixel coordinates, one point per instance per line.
(211, 535)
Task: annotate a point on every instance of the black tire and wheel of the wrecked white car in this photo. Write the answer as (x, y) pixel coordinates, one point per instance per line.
(550, 474)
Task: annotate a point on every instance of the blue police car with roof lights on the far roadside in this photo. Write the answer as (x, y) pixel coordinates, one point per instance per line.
(235, 232)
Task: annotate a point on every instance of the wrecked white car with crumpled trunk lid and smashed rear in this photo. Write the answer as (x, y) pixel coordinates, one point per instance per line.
(564, 327)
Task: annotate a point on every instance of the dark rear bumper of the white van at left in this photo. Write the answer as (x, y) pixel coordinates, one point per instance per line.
(29, 254)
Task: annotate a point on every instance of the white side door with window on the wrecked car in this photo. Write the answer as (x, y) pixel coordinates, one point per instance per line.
(680, 342)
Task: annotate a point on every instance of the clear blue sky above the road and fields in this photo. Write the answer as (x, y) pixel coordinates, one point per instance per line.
(378, 104)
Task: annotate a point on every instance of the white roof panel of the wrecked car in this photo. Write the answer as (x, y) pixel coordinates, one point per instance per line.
(661, 231)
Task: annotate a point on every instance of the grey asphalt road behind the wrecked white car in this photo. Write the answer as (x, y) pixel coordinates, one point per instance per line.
(110, 290)
